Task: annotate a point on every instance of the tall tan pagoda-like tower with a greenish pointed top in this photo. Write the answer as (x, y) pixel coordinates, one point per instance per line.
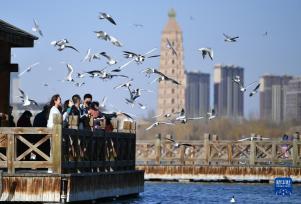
(171, 97)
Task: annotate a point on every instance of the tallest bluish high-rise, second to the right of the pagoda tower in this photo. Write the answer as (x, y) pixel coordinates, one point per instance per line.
(228, 99)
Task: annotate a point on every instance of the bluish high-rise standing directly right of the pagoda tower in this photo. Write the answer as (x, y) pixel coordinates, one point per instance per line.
(197, 94)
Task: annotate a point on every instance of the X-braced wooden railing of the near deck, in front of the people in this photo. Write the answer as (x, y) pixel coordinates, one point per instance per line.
(60, 150)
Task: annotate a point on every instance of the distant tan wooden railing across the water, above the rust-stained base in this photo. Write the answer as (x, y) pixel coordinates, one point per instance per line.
(219, 152)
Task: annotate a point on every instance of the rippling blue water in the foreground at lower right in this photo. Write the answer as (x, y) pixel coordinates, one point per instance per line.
(158, 192)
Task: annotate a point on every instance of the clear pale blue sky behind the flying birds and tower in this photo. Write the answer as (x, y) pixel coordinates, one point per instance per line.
(202, 23)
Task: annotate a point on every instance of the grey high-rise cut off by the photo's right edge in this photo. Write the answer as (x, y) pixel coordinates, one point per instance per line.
(293, 100)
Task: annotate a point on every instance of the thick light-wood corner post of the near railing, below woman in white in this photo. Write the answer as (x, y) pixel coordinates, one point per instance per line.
(56, 148)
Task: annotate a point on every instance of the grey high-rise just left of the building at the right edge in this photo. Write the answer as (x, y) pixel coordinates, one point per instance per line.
(272, 97)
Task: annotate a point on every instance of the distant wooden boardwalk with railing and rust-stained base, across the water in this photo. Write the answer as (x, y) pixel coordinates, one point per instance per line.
(211, 159)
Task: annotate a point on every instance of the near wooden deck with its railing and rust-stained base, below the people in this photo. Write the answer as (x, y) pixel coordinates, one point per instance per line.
(84, 164)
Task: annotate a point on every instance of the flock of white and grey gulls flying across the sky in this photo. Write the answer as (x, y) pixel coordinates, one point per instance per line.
(134, 94)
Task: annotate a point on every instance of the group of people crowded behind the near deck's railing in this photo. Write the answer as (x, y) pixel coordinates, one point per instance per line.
(88, 112)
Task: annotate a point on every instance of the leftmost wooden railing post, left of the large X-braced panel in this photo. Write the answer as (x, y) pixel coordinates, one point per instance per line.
(10, 153)
